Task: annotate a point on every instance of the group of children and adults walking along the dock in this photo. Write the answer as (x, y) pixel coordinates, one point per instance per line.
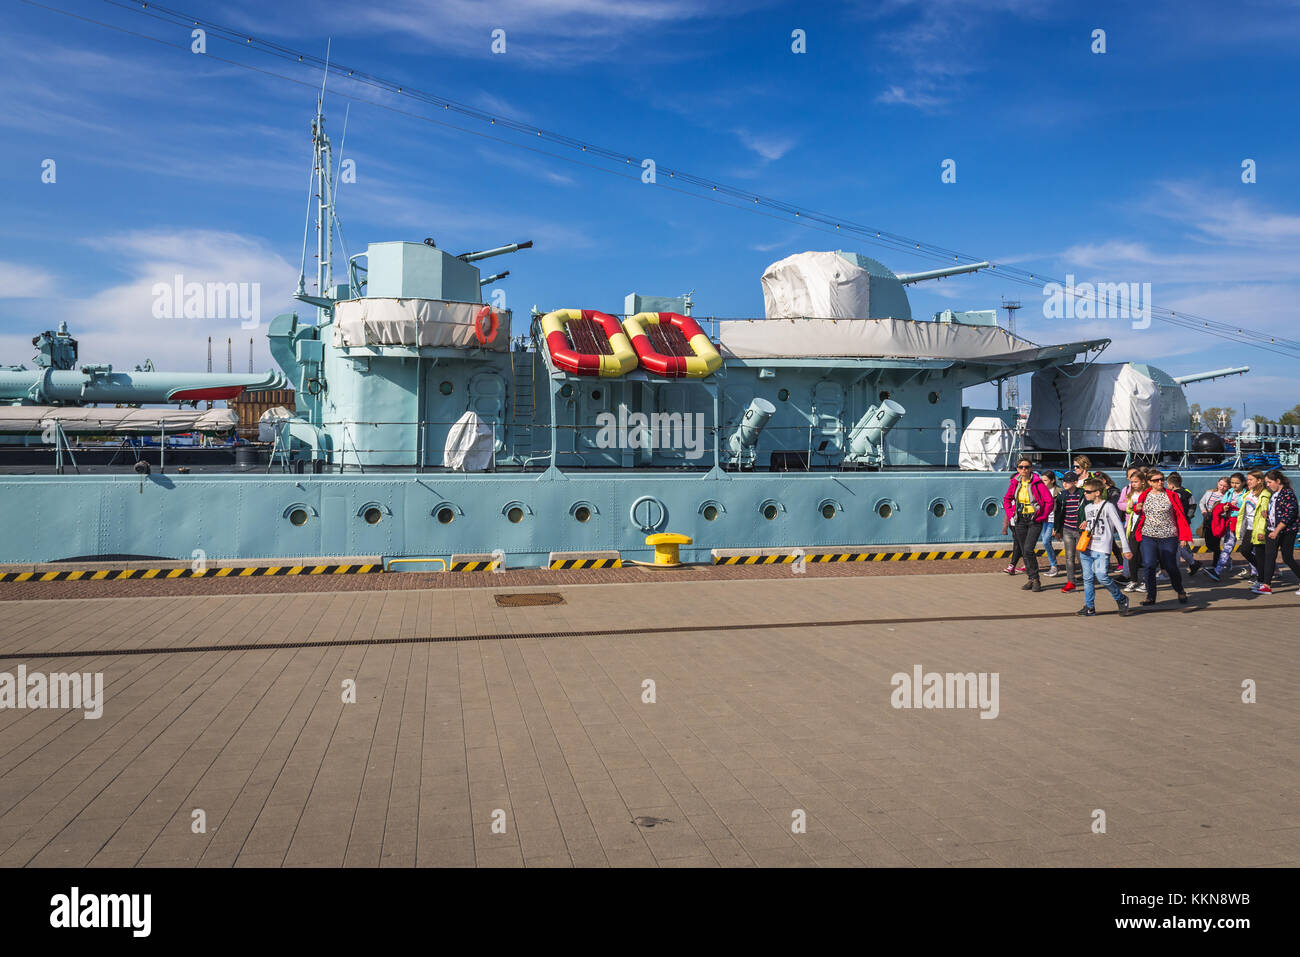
(1147, 529)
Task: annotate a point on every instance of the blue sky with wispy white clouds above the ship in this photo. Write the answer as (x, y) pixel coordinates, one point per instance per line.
(1124, 167)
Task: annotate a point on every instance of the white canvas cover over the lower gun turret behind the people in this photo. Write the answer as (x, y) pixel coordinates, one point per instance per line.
(1103, 405)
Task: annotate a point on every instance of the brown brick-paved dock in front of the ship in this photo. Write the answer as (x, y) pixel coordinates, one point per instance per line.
(773, 696)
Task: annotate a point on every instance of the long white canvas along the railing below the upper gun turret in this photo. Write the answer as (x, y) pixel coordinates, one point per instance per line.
(760, 339)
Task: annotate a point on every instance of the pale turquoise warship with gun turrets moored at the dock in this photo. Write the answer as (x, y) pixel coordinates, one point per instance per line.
(431, 425)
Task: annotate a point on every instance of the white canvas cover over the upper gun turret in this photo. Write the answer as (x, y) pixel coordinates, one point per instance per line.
(816, 284)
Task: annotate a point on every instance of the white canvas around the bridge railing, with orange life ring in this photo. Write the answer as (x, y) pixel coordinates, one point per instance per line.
(414, 323)
